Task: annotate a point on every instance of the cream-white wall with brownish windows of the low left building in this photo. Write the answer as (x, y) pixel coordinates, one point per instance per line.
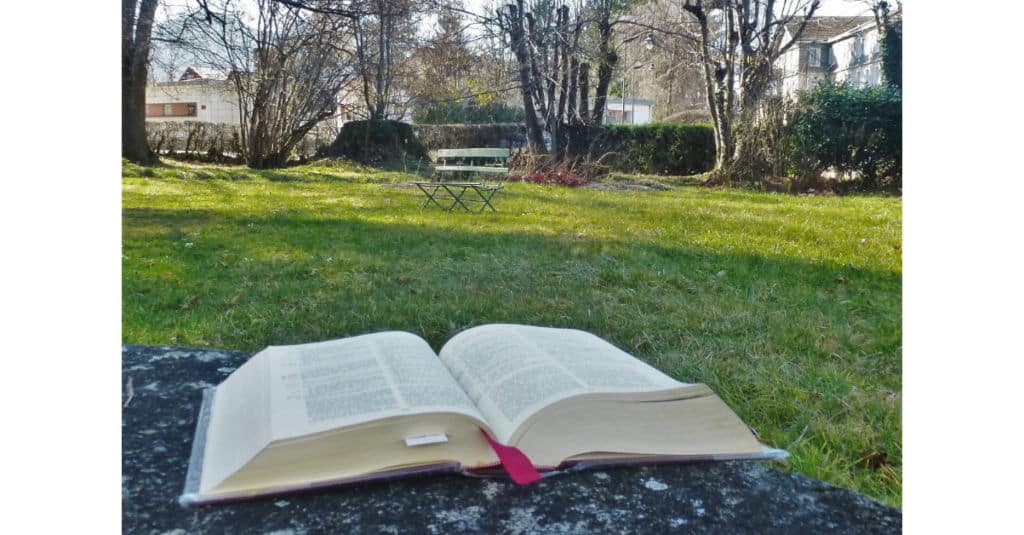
(216, 101)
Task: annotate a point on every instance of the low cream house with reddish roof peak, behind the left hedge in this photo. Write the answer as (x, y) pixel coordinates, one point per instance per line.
(197, 96)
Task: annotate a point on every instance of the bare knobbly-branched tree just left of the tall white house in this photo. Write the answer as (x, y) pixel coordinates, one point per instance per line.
(740, 43)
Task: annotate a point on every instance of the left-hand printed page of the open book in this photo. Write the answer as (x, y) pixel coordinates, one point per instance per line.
(326, 386)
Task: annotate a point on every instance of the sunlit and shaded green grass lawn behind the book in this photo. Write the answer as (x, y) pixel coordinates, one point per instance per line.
(788, 307)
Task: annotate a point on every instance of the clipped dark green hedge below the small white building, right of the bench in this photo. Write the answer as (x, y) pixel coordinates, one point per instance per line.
(656, 149)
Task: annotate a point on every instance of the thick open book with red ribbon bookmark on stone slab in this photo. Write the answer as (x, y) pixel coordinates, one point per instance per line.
(385, 405)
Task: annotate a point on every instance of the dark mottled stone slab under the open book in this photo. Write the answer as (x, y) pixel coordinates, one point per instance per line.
(727, 498)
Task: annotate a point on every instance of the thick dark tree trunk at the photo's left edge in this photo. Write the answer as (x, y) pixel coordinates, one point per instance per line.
(137, 30)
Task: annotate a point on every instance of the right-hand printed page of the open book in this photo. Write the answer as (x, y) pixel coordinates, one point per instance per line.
(511, 372)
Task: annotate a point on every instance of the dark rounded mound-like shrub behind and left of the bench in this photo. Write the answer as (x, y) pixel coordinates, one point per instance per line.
(372, 142)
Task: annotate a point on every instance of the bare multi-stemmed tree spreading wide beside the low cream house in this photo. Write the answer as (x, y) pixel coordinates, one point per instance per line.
(284, 61)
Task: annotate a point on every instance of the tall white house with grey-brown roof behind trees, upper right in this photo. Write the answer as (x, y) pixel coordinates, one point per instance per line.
(835, 49)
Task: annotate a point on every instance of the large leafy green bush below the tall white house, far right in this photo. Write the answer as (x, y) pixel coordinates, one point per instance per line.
(856, 132)
